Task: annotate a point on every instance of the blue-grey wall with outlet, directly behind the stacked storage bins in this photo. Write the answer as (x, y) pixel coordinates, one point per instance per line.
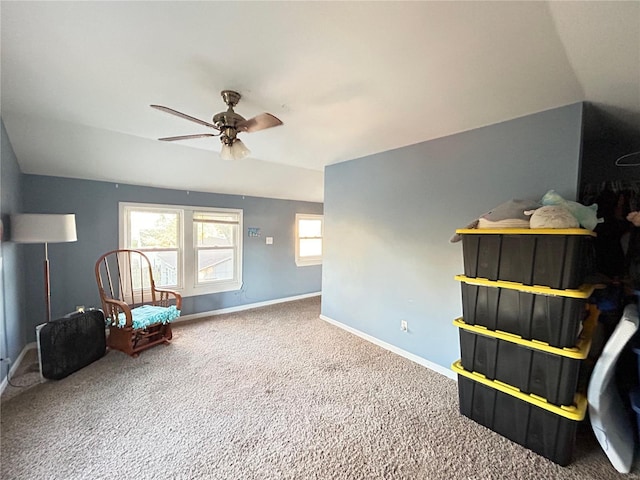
(389, 217)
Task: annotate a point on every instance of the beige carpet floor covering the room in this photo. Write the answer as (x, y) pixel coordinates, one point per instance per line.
(271, 393)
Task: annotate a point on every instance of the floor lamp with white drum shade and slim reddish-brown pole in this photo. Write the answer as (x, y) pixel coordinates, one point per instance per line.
(44, 228)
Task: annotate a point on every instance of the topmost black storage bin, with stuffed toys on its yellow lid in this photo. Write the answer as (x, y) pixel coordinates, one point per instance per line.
(557, 258)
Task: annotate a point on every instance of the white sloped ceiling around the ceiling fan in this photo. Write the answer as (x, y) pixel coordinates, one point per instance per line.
(347, 79)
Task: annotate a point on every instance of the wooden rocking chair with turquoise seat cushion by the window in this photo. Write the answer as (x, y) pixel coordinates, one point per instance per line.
(138, 314)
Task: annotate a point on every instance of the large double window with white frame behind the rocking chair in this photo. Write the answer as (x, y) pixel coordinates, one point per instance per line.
(195, 250)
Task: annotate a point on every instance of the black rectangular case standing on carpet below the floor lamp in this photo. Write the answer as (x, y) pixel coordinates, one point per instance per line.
(67, 344)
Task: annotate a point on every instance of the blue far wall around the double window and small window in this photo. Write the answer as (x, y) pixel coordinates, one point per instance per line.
(269, 271)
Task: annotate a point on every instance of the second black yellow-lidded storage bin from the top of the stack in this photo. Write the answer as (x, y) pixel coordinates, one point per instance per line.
(548, 315)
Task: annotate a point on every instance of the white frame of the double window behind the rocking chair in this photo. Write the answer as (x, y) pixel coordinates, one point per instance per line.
(188, 284)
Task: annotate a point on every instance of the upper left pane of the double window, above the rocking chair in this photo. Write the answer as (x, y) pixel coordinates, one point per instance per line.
(154, 229)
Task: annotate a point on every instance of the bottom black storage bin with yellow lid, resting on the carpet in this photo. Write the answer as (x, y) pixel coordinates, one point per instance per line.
(547, 430)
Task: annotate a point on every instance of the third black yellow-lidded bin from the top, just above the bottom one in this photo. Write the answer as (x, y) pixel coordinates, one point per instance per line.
(533, 368)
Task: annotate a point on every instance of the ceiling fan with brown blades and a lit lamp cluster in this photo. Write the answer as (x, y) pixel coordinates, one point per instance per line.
(228, 124)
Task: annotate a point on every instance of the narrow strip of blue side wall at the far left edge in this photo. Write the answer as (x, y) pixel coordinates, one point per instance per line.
(13, 329)
